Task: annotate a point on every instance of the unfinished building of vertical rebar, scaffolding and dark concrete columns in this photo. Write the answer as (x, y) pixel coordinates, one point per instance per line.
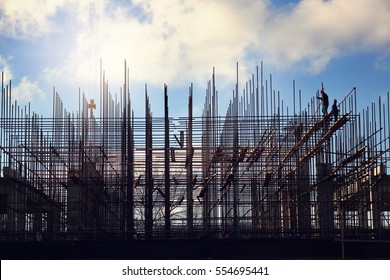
(259, 171)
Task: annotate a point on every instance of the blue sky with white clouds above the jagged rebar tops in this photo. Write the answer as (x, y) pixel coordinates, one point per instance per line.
(46, 44)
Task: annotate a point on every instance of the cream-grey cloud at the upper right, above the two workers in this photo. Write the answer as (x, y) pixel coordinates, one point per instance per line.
(314, 32)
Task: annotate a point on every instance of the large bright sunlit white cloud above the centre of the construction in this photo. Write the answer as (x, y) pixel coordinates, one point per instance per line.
(172, 41)
